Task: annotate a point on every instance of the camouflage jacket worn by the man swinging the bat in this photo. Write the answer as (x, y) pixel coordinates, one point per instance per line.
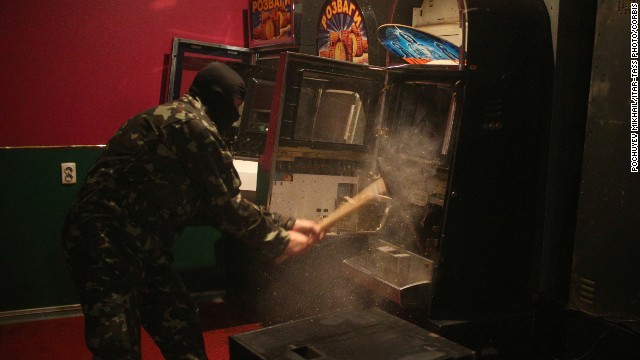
(163, 169)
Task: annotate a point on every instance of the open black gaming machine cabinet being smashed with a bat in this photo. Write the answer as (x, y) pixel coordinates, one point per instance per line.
(461, 148)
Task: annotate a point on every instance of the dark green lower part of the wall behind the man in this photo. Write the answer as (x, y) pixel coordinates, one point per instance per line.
(34, 203)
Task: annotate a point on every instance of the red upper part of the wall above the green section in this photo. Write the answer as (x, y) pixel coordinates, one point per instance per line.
(73, 71)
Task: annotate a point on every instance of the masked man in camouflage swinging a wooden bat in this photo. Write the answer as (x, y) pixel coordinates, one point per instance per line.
(164, 169)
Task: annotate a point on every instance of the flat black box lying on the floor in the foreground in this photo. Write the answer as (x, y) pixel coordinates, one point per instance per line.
(349, 334)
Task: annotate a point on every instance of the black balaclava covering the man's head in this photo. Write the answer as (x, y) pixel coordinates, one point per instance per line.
(217, 86)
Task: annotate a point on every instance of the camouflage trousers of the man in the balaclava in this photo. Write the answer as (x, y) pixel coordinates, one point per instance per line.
(119, 295)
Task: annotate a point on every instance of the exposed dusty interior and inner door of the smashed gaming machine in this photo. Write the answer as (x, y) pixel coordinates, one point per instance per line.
(408, 132)
